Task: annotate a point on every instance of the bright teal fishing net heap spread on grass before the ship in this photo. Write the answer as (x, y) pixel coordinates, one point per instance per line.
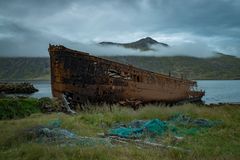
(178, 125)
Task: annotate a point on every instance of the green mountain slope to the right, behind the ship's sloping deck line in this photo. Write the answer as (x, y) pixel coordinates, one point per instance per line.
(222, 67)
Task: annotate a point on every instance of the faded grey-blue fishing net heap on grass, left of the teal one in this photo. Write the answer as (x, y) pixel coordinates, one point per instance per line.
(54, 134)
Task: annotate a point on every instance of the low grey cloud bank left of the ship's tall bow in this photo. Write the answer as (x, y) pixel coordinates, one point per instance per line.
(19, 40)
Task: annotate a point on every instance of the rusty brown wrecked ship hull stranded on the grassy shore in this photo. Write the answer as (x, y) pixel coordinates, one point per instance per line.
(85, 78)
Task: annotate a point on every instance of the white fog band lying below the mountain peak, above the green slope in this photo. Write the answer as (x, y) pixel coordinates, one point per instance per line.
(184, 49)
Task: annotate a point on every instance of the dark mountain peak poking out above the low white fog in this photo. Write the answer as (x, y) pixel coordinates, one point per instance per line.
(142, 44)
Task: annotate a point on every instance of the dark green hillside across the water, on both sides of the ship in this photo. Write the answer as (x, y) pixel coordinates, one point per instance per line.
(220, 67)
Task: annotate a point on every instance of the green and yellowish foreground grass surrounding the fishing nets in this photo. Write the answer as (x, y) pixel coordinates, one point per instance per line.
(219, 142)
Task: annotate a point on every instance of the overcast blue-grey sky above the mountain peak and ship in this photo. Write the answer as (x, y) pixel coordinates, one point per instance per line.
(28, 26)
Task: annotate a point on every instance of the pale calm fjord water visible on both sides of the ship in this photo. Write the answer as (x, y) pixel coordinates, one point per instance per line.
(216, 91)
